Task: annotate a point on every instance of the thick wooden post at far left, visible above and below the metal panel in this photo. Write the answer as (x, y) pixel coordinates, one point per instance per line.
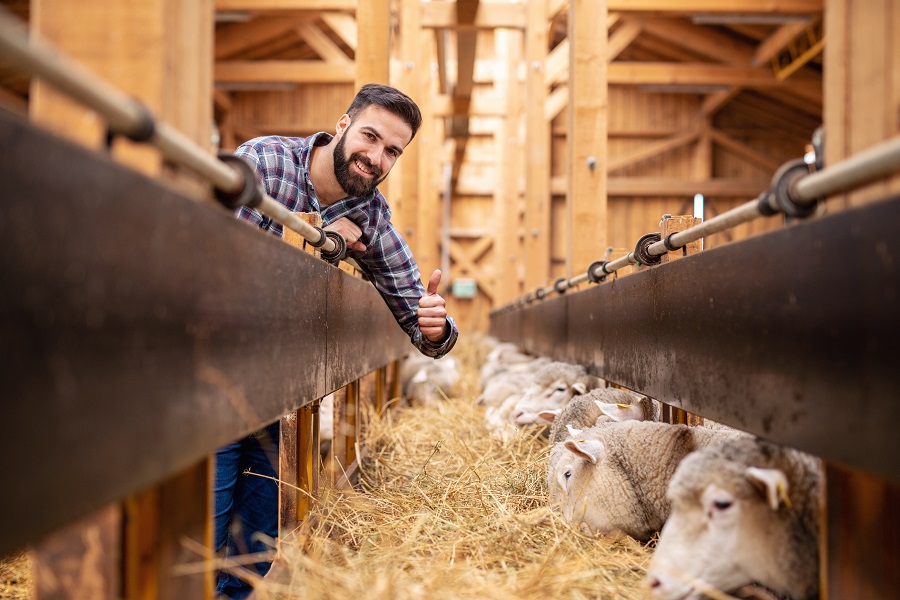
(160, 52)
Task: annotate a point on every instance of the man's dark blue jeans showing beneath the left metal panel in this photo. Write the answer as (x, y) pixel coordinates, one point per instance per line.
(246, 504)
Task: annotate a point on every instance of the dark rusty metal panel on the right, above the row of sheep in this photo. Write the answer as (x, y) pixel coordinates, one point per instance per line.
(791, 335)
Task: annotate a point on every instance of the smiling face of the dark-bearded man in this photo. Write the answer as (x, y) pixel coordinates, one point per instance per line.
(367, 149)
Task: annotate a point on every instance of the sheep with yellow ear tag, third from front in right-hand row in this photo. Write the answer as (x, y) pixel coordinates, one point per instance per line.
(597, 406)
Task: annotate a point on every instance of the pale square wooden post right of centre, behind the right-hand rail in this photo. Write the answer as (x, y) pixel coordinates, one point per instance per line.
(586, 139)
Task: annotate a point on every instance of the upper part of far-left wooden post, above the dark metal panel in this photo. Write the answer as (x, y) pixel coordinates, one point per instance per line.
(159, 51)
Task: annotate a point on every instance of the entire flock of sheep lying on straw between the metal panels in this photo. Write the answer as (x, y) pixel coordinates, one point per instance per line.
(731, 510)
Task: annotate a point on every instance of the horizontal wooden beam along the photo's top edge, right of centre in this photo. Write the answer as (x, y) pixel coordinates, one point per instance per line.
(733, 7)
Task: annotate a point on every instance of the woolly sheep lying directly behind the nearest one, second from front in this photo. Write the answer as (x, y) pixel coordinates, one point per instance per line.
(612, 479)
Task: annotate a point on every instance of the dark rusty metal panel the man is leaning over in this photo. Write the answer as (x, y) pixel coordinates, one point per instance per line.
(140, 330)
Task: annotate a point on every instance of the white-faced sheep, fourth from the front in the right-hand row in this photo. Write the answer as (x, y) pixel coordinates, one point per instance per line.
(555, 384)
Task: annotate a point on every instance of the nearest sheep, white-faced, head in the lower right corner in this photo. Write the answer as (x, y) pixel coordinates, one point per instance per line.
(746, 511)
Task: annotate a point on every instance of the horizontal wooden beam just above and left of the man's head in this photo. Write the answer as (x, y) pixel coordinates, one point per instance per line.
(283, 71)
